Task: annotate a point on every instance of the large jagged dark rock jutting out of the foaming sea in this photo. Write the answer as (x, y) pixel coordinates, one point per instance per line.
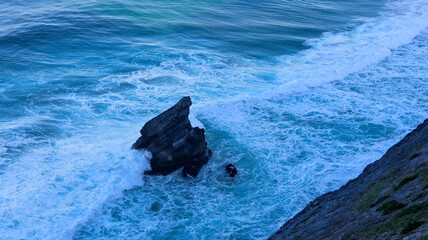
(173, 142)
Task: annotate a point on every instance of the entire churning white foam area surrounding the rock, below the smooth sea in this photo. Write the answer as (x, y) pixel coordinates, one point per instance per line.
(313, 142)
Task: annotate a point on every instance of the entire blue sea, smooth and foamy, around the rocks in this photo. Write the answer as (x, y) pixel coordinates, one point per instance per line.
(299, 95)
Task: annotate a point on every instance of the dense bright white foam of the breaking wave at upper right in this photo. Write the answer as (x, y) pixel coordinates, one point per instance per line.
(337, 55)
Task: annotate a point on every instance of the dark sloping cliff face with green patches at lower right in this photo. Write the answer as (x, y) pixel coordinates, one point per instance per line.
(387, 201)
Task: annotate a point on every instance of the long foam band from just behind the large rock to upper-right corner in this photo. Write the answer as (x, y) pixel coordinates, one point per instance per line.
(216, 78)
